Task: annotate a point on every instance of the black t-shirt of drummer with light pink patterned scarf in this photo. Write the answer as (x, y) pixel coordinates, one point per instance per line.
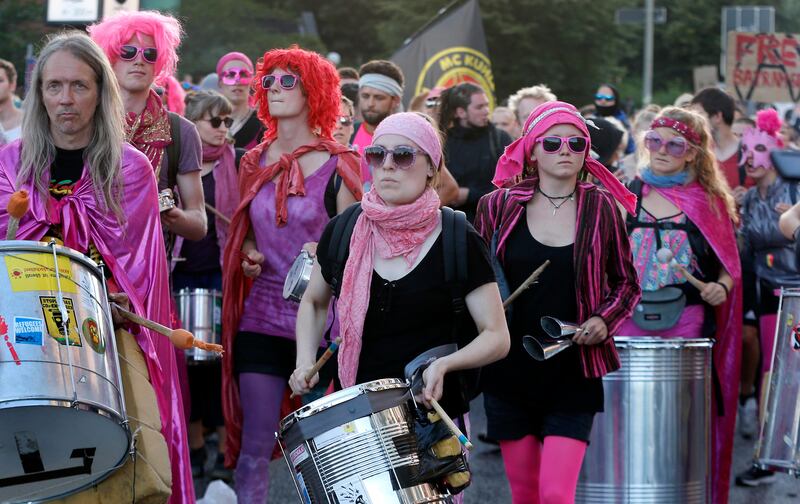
(412, 314)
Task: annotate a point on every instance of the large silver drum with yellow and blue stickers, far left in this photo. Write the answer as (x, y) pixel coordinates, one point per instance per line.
(63, 424)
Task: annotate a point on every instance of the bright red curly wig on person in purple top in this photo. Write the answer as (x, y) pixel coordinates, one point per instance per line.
(319, 82)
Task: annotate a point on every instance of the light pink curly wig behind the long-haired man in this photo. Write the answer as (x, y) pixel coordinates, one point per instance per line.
(114, 32)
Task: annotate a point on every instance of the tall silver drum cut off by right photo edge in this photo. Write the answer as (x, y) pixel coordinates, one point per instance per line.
(778, 446)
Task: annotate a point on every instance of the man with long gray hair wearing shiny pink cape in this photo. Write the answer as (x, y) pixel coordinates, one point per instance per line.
(96, 194)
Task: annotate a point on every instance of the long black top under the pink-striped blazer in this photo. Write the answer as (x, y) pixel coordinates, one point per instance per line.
(557, 384)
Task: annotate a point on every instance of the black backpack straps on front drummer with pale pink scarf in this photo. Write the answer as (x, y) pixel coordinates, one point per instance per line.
(454, 241)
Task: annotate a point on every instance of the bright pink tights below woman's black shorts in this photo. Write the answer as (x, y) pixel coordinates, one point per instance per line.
(543, 473)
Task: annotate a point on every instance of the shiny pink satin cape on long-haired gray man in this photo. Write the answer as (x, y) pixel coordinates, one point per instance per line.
(134, 252)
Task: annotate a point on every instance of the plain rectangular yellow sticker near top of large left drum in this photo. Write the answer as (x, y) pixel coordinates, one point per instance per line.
(35, 272)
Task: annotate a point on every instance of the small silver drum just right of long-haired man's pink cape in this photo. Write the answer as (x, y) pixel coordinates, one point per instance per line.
(201, 314)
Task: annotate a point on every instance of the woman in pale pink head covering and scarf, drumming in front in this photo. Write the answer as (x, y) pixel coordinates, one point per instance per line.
(394, 303)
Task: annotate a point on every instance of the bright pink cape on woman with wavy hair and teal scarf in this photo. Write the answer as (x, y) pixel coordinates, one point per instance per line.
(718, 230)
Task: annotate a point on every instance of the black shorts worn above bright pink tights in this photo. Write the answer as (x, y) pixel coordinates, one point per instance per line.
(508, 421)
